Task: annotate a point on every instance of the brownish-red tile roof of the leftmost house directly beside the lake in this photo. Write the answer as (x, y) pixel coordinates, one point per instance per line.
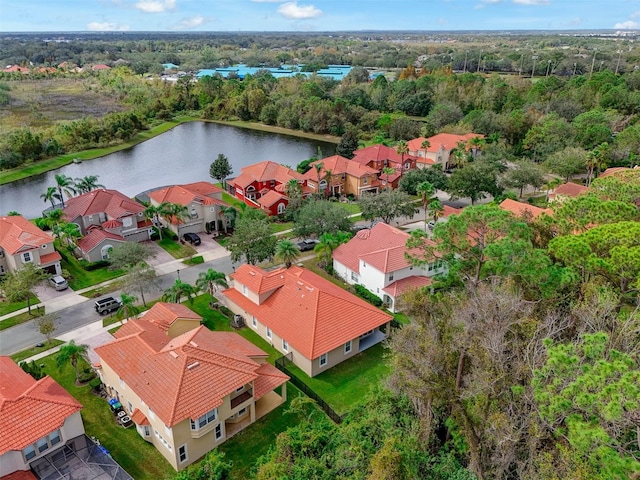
(111, 202)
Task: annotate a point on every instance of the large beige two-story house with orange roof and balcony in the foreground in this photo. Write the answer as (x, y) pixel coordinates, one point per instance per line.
(190, 393)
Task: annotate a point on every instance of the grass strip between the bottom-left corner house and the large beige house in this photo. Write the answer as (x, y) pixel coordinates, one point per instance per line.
(139, 458)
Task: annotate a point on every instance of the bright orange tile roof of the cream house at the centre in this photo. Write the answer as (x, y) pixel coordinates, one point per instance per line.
(312, 314)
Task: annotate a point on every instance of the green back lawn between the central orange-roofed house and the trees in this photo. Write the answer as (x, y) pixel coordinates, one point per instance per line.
(344, 386)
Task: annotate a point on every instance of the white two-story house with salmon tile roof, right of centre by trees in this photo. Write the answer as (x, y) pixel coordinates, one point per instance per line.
(376, 258)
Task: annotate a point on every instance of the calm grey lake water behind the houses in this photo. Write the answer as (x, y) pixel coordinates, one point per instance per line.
(181, 155)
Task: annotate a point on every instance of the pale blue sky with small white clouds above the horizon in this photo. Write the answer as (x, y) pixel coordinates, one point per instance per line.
(315, 15)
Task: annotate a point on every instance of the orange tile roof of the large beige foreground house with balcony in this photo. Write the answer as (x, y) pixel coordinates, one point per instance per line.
(194, 371)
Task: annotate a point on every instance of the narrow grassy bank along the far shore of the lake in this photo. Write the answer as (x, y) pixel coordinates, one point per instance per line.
(55, 163)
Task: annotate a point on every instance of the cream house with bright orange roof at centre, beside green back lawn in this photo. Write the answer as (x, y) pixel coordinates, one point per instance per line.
(314, 322)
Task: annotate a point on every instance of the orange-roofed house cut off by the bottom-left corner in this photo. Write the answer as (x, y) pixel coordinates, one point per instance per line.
(38, 419)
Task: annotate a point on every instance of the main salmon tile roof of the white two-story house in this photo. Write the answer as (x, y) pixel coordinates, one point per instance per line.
(383, 247)
